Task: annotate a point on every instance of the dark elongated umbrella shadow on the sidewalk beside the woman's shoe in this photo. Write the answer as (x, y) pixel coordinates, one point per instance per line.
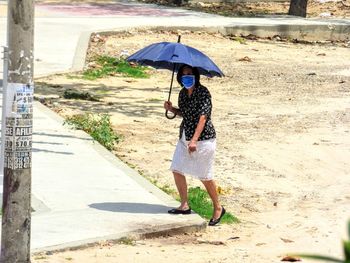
(133, 208)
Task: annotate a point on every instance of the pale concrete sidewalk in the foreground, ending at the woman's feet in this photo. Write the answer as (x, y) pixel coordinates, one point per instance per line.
(83, 193)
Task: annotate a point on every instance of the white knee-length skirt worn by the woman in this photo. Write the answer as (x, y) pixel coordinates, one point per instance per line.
(198, 164)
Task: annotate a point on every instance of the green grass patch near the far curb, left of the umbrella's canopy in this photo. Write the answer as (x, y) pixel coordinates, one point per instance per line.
(109, 66)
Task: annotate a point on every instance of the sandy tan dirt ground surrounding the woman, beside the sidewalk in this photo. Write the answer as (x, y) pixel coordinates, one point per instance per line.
(282, 115)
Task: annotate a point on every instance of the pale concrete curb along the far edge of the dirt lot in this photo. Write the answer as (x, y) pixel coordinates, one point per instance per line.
(333, 30)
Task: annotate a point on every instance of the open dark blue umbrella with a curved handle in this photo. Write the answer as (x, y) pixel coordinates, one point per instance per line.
(170, 55)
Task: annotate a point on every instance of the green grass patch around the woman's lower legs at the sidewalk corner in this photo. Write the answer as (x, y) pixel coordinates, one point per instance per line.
(200, 202)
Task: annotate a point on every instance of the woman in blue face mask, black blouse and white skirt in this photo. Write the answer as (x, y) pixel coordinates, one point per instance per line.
(194, 153)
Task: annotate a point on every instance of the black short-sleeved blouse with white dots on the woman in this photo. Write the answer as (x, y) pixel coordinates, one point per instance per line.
(192, 107)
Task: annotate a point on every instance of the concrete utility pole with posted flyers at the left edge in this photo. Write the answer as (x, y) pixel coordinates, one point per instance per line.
(16, 217)
